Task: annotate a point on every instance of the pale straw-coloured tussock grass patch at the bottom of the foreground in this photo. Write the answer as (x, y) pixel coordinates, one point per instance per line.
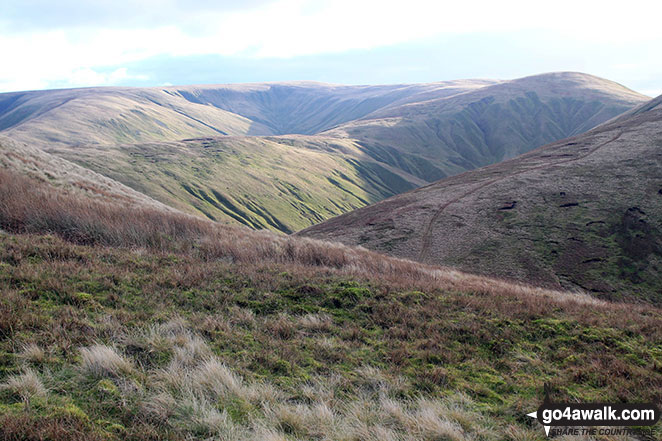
(206, 399)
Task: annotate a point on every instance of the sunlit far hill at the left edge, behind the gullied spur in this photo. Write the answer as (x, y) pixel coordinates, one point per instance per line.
(113, 115)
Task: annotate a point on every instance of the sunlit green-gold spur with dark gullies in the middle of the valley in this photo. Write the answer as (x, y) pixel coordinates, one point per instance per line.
(277, 183)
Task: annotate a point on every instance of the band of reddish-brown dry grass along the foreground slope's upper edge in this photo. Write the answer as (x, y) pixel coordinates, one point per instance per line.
(27, 206)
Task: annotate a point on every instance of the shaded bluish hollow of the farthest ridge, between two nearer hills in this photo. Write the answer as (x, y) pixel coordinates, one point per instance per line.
(309, 107)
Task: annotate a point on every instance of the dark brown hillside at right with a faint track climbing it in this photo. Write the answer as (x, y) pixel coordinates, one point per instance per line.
(585, 212)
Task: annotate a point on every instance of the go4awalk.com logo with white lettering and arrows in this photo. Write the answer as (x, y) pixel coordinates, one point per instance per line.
(595, 418)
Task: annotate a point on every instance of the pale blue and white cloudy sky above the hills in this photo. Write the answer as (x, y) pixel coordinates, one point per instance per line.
(68, 43)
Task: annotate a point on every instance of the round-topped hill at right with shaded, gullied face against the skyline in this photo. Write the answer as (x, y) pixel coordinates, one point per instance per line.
(464, 131)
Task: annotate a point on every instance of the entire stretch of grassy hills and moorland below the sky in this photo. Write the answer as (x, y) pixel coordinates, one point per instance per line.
(302, 261)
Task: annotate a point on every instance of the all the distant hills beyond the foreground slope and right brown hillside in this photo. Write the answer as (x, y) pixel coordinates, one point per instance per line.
(322, 149)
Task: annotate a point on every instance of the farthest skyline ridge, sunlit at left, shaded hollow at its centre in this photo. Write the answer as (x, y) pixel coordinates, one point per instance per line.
(127, 115)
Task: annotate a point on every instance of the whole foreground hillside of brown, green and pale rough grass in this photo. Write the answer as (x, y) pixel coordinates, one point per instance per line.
(141, 324)
